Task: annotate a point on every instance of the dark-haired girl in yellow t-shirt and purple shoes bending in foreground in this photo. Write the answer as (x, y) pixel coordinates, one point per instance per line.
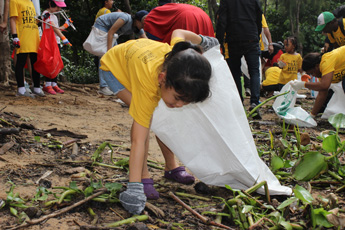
(141, 72)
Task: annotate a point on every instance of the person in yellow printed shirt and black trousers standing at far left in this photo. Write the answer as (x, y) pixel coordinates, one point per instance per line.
(26, 40)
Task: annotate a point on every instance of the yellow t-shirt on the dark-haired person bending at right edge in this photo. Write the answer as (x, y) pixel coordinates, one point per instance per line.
(334, 61)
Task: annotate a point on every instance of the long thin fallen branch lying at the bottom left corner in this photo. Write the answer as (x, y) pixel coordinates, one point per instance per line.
(61, 211)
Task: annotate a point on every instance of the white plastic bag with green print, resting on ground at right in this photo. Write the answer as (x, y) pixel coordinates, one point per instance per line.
(284, 107)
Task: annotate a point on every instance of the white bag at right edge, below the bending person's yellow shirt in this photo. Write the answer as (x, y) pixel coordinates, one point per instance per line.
(337, 102)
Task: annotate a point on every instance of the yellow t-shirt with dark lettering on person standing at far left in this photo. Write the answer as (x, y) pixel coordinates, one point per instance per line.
(27, 29)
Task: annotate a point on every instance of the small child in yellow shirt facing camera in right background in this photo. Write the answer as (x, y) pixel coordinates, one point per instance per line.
(290, 62)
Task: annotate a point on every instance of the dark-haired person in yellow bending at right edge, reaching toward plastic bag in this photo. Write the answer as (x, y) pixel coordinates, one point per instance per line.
(329, 68)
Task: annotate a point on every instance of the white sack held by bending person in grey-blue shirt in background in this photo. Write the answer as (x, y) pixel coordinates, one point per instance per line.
(96, 42)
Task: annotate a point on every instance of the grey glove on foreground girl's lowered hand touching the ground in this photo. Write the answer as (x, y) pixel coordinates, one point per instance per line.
(134, 198)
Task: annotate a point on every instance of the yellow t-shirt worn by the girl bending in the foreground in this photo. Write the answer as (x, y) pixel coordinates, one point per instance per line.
(136, 65)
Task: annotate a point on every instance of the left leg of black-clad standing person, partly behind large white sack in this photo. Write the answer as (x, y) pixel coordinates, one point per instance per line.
(234, 63)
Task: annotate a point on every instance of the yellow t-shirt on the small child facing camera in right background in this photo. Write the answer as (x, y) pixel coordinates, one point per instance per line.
(293, 64)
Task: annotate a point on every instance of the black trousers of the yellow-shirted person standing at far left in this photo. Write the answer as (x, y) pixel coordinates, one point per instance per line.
(19, 69)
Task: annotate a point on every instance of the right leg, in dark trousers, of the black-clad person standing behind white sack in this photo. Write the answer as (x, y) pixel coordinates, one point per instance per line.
(252, 57)
